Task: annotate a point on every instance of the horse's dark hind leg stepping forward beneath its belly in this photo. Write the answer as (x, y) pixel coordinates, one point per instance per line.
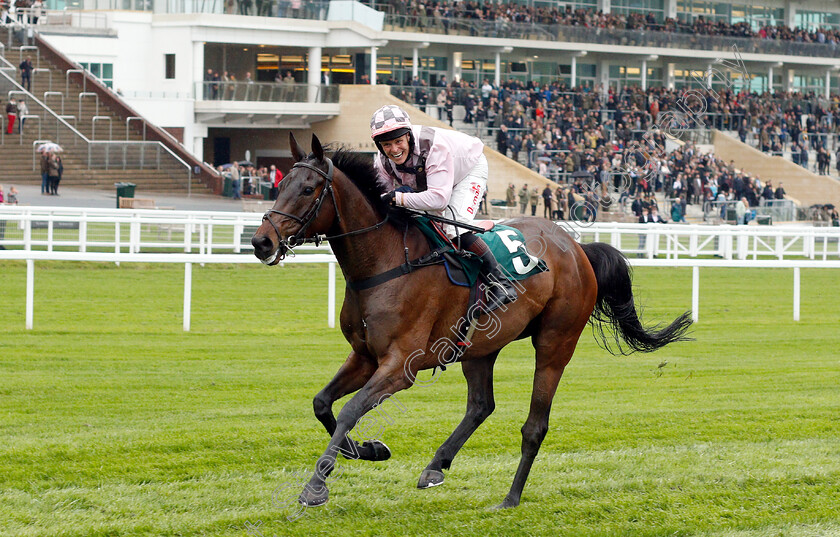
(480, 404)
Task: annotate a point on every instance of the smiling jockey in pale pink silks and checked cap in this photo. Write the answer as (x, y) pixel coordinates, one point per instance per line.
(439, 171)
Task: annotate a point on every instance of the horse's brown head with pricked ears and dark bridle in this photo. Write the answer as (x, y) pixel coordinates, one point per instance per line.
(298, 213)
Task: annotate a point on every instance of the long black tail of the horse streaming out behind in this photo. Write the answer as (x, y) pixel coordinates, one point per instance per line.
(615, 306)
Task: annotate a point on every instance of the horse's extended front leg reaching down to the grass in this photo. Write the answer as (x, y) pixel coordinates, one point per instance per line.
(388, 379)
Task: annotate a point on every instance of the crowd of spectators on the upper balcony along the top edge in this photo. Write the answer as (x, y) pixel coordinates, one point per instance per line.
(429, 13)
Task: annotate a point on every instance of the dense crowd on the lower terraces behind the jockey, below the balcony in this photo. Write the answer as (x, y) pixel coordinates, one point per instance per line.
(559, 130)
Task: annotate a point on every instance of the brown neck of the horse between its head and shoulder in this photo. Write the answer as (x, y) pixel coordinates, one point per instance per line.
(366, 254)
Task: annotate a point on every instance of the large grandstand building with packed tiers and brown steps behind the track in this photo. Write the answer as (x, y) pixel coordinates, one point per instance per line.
(632, 92)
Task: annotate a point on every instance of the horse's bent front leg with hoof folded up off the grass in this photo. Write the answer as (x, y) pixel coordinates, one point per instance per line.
(351, 376)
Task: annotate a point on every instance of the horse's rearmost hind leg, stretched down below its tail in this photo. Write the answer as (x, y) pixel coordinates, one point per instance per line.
(551, 361)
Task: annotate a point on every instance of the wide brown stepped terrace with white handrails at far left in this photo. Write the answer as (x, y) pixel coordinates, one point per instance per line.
(98, 165)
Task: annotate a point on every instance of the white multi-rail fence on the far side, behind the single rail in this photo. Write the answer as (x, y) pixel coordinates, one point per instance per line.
(141, 230)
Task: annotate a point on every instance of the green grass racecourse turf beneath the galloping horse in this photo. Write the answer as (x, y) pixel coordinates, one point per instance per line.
(113, 421)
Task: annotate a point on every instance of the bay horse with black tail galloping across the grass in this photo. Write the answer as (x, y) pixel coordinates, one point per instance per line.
(393, 327)
